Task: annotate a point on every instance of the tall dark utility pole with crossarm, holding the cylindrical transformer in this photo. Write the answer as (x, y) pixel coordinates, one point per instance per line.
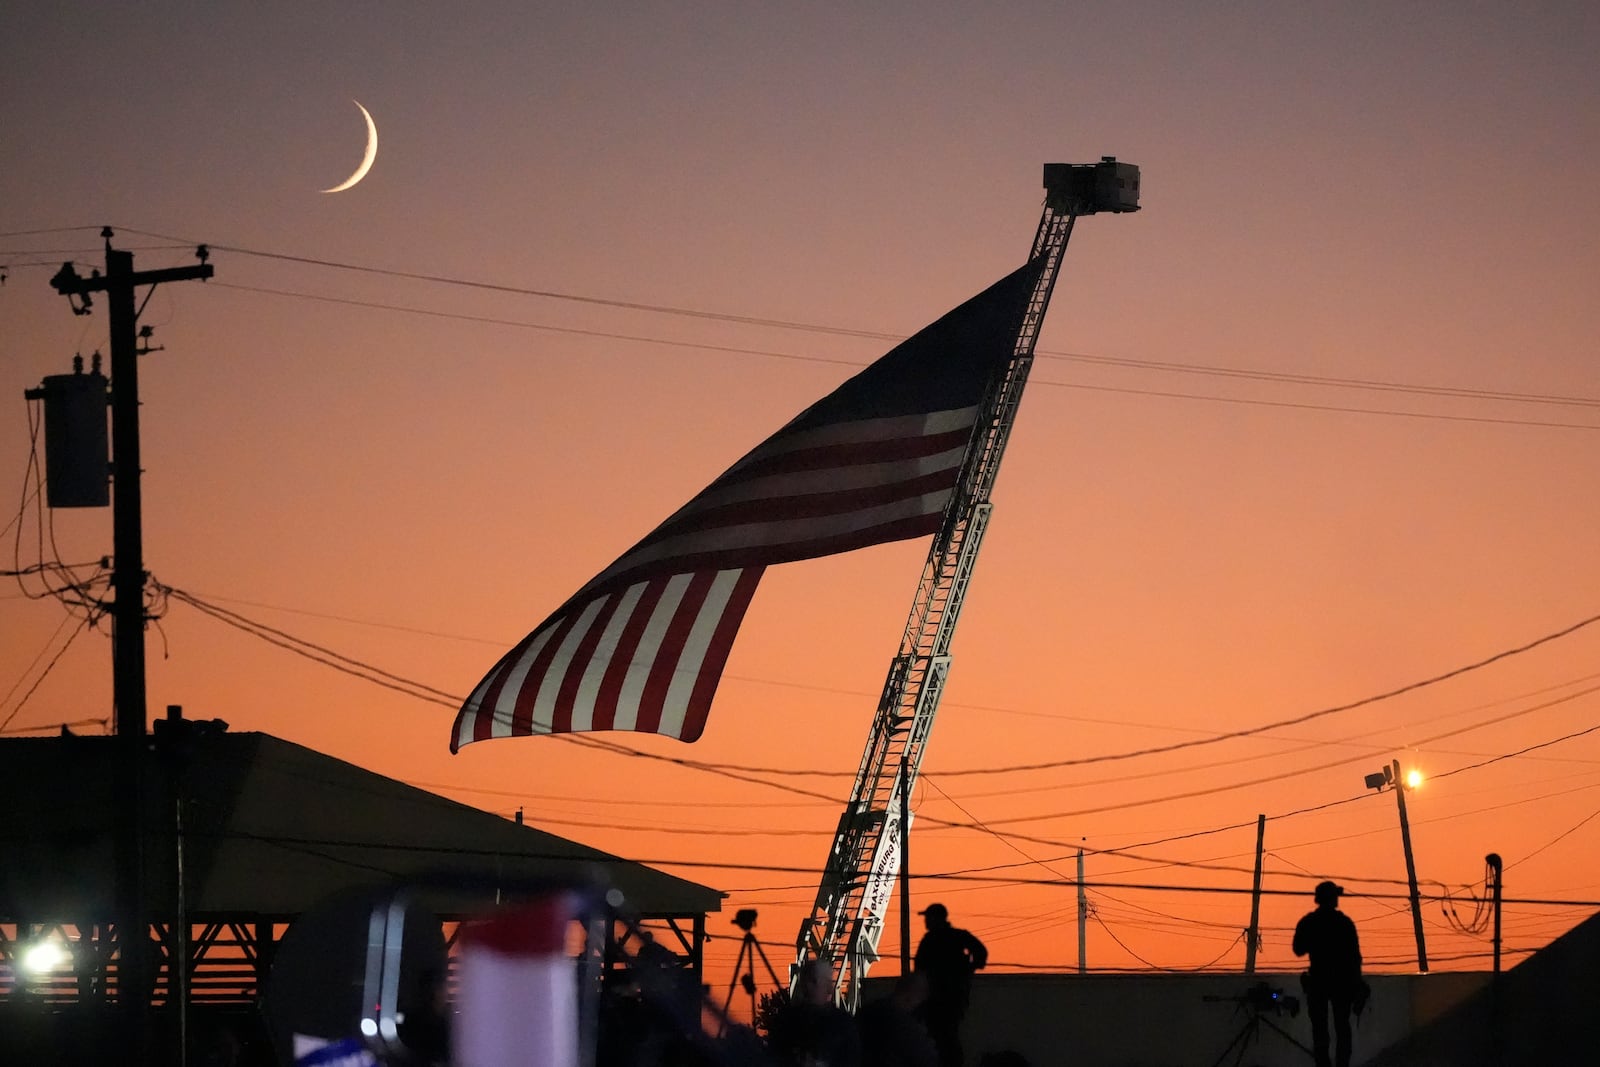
(118, 284)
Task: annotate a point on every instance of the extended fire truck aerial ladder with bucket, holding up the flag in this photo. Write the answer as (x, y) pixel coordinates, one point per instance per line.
(863, 865)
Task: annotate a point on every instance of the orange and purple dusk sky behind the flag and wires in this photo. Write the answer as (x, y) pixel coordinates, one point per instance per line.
(1321, 423)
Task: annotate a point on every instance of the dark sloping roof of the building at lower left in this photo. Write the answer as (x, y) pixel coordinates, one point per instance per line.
(271, 828)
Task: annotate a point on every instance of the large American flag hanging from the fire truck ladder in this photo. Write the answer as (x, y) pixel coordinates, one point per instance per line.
(644, 644)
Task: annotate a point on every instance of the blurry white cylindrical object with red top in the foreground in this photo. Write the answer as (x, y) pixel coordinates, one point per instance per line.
(518, 996)
